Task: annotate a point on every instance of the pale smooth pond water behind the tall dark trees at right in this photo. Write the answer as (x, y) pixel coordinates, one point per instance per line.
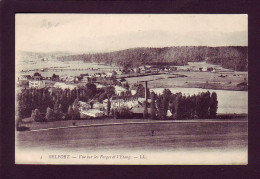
(229, 102)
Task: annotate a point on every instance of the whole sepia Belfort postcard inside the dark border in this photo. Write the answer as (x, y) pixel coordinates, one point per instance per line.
(131, 89)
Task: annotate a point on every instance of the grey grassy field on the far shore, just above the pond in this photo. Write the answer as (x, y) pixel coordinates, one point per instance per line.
(195, 80)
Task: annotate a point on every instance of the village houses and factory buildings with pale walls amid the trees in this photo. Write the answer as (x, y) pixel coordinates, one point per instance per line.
(124, 95)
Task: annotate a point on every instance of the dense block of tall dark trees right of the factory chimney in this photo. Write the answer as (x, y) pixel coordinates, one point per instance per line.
(203, 105)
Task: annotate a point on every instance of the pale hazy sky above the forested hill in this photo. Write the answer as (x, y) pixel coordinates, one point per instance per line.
(86, 33)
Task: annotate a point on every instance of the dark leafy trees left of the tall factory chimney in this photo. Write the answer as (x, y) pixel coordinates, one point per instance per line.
(57, 99)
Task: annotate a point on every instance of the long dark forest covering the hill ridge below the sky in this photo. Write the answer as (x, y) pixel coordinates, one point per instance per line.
(231, 57)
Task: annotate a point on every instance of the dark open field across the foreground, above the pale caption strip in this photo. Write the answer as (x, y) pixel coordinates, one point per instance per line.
(228, 134)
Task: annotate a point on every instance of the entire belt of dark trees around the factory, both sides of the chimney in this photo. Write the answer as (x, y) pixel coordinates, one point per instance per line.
(56, 103)
